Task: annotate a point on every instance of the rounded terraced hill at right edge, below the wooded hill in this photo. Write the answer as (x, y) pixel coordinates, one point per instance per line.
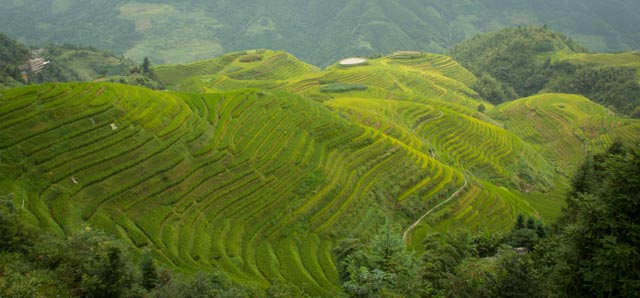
(565, 127)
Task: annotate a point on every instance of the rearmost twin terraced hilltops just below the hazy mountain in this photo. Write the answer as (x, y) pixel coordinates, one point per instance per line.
(420, 77)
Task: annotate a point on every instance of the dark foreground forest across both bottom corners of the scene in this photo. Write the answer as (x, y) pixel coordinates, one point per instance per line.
(592, 251)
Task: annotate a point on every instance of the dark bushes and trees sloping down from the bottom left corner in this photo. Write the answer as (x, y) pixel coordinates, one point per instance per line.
(89, 263)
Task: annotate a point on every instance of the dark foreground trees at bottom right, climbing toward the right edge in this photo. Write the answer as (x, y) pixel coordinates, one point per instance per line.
(592, 251)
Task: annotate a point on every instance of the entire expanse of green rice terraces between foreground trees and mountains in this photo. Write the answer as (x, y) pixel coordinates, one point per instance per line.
(268, 163)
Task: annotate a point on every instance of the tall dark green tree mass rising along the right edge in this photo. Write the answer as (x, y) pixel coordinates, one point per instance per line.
(597, 252)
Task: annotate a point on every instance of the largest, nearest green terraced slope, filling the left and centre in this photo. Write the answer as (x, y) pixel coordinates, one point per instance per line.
(260, 184)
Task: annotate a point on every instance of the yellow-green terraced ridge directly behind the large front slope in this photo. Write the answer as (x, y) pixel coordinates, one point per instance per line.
(463, 142)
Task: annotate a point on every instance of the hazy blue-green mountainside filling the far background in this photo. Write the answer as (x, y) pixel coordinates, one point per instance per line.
(319, 32)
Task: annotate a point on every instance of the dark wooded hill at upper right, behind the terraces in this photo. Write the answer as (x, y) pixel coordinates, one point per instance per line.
(520, 62)
